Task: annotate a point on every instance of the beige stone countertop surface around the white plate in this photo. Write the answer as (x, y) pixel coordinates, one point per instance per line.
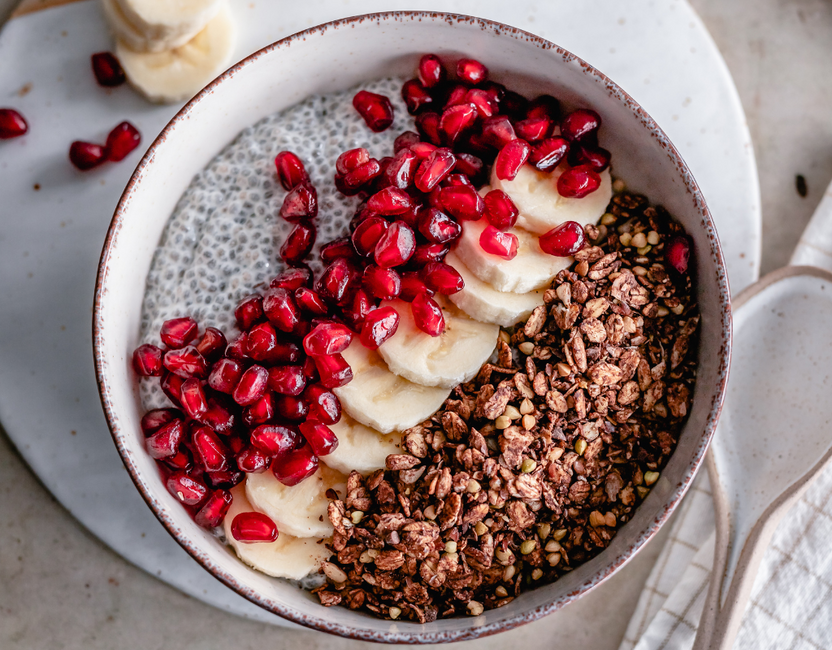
(61, 588)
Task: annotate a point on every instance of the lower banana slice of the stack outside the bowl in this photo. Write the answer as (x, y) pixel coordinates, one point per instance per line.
(178, 74)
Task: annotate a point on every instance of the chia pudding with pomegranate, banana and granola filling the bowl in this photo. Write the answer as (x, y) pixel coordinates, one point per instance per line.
(445, 356)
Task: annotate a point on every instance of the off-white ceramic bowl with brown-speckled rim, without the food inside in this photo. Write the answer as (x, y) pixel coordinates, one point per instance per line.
(333, 57)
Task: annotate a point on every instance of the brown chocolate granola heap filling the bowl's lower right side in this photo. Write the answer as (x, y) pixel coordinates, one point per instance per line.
(529, 470)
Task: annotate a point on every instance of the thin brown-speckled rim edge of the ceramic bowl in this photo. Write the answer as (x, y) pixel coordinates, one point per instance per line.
(675, 495)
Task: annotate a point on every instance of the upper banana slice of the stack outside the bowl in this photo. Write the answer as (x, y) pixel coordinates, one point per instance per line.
(168, 22)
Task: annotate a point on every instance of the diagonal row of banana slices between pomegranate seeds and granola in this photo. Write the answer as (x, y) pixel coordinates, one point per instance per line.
(411, 375)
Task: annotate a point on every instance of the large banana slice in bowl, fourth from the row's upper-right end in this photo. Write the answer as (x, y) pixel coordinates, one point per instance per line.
(447, 360)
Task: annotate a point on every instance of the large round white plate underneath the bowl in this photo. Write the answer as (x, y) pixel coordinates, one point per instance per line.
(51, 238)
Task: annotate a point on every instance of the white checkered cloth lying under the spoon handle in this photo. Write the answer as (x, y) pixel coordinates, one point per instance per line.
(791, 603)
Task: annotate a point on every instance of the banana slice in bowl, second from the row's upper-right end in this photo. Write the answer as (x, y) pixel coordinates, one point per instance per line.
(531, 269)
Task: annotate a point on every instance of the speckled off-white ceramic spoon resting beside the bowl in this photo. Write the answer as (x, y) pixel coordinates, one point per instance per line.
(774, 435)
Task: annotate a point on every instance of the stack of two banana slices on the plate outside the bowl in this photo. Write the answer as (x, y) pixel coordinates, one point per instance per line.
(170, 49)
